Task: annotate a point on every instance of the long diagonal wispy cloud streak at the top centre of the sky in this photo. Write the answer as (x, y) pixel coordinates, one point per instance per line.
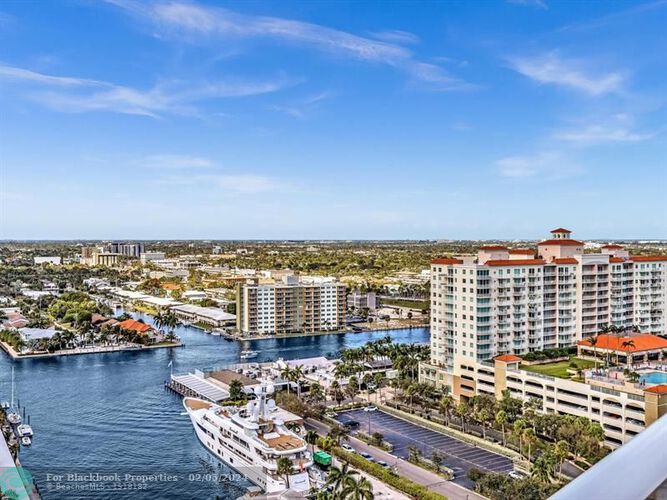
(206, 24)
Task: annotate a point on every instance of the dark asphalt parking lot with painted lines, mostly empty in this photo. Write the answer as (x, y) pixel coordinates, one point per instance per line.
(457, 455)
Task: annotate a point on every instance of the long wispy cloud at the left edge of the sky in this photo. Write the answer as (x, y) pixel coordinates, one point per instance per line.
(78, 95)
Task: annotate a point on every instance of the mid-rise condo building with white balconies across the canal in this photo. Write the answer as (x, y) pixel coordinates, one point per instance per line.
(290, 304)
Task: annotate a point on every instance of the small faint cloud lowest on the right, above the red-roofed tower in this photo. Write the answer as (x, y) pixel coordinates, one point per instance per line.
(547, 164)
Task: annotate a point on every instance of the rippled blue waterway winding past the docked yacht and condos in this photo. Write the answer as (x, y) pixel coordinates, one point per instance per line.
(109, 413)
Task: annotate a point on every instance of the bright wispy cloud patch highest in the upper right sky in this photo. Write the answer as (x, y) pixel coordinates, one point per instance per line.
(551, 68)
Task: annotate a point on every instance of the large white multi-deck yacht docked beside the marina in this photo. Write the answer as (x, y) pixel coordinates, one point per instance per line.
(251, 440)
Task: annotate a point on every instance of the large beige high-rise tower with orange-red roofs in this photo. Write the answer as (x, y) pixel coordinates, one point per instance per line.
(514, 301)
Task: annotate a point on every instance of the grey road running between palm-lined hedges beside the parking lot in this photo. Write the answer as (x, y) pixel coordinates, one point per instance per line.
(421, 476)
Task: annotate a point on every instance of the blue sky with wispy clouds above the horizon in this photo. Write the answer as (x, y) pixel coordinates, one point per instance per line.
(174, 119)
